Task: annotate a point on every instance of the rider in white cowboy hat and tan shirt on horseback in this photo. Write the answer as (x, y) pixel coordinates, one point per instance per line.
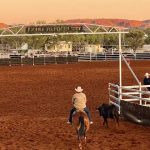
(79, 102)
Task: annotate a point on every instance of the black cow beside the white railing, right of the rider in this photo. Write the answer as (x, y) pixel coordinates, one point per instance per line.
(108, 111)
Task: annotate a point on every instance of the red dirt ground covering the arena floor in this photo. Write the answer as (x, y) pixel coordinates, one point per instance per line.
(35, 103)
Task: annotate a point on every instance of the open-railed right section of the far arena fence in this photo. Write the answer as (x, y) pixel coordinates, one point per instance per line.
(110, 56)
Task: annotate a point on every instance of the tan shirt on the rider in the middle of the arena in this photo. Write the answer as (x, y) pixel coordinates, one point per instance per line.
(79, 100)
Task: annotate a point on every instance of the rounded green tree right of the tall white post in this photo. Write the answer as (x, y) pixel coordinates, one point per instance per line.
(135, 39)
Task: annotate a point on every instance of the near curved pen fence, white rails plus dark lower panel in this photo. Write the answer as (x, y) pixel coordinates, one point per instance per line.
(135, 102)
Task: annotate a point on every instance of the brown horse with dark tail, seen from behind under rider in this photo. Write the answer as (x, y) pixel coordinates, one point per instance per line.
(81, 123)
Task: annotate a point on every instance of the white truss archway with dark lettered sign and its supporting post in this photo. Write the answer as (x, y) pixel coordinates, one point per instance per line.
(66, 29)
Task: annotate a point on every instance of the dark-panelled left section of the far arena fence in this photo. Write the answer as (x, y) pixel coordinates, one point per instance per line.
(41, 60)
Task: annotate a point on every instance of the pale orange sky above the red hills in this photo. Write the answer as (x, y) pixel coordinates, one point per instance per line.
(29, 11)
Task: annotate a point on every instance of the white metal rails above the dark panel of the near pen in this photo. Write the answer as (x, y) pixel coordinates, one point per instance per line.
(129, 93)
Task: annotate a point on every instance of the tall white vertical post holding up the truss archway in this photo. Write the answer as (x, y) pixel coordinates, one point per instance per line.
(120, 71)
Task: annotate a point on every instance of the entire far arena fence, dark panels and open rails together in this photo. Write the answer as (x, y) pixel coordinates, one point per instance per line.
(48, 59)
